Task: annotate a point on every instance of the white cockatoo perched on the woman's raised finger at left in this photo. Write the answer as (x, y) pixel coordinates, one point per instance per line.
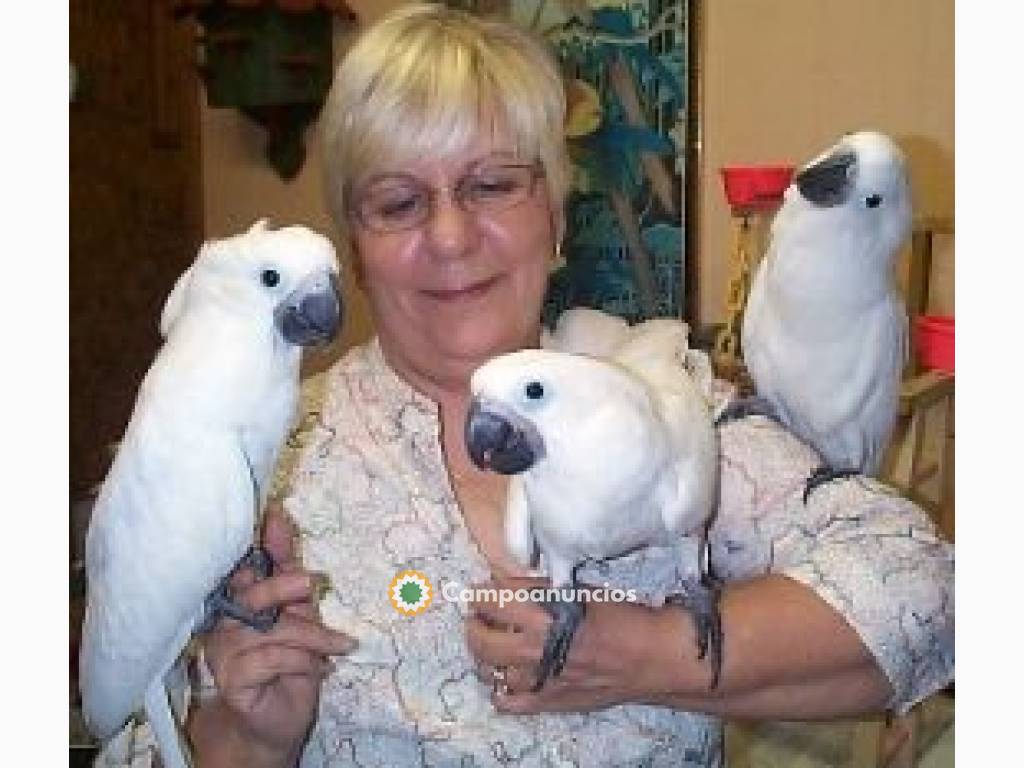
(178, 510)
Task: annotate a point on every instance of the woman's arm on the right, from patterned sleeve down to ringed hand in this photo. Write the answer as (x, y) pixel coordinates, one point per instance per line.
(835, 608)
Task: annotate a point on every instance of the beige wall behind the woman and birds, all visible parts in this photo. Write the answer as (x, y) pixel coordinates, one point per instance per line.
(783, 79)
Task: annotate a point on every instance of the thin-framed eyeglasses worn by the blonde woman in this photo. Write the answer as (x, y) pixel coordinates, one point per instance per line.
(398, 203)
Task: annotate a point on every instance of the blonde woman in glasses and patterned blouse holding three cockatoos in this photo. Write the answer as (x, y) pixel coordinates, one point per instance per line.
(447, 176)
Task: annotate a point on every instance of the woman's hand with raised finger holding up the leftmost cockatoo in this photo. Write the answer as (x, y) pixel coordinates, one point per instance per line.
(269, 684)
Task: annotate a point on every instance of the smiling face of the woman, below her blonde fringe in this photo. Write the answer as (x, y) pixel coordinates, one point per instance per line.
(464, 285)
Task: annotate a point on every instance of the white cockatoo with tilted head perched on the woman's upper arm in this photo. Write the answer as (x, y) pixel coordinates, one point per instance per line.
(825, 333)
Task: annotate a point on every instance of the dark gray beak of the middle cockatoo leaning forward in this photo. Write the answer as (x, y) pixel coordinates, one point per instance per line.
(500, 442)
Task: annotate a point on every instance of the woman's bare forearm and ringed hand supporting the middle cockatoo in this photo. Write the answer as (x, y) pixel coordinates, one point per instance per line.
(788, 656)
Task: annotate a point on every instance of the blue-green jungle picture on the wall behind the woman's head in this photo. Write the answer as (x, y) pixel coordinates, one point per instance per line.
(629, 126)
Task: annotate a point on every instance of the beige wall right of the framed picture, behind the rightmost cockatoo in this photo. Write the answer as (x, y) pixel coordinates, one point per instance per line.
(785, 78)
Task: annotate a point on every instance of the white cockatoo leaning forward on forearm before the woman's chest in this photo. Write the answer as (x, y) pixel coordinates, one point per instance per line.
(609, 454)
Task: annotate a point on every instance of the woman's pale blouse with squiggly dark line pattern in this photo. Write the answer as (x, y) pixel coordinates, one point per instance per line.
(365, 479)
